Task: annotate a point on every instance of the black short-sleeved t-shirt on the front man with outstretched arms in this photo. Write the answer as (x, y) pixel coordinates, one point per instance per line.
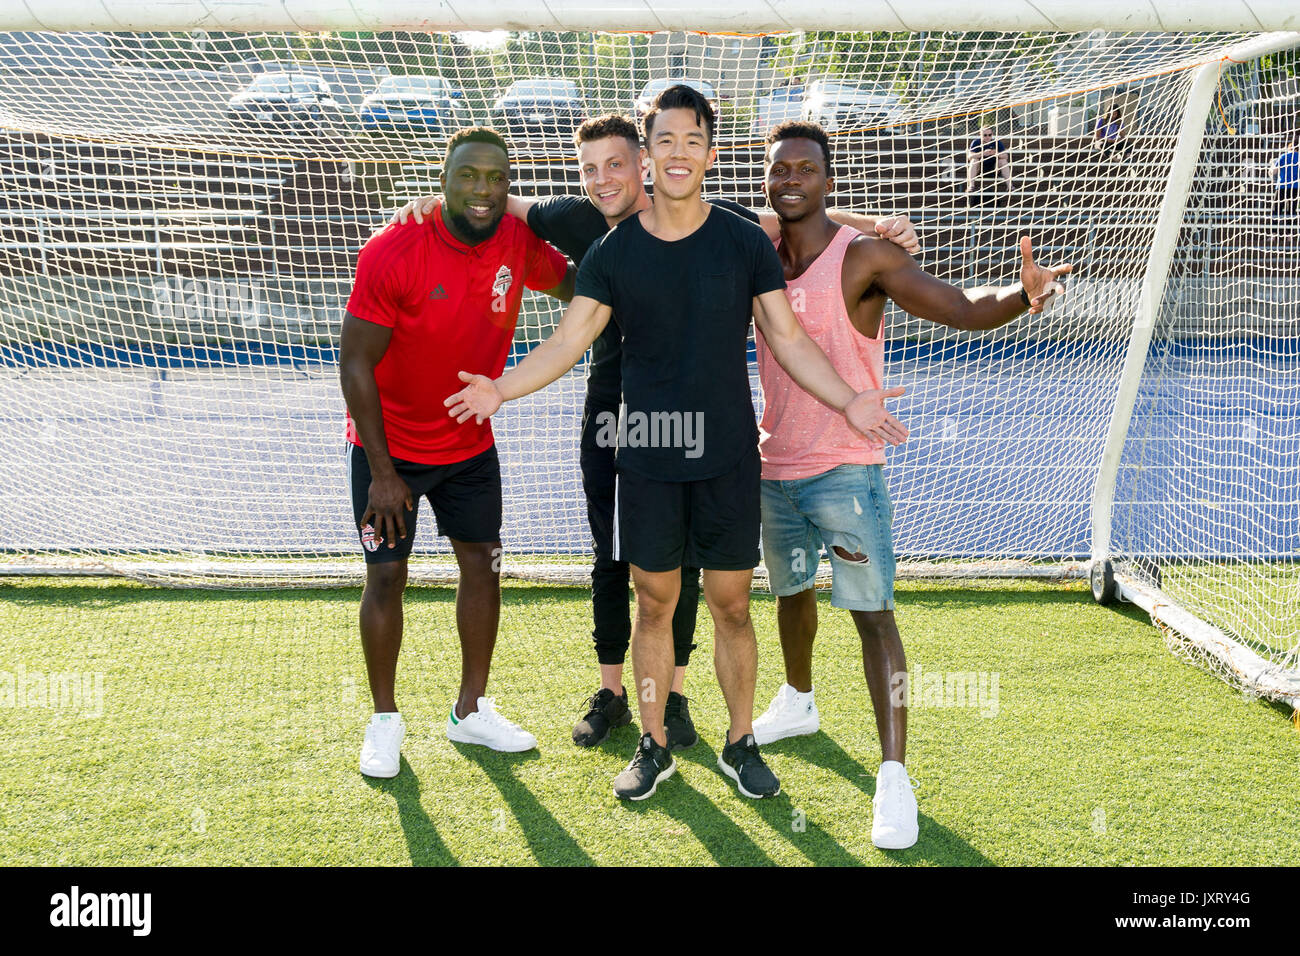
(684, 309)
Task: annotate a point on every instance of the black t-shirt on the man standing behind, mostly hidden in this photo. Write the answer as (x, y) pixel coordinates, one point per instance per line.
(573, 224)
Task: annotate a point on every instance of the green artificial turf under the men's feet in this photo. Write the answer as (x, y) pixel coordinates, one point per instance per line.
(229, 726)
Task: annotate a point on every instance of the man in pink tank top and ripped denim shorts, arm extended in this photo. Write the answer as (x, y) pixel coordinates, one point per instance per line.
(822, 482)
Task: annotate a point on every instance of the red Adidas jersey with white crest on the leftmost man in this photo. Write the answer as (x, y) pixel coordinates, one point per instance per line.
(452, 308)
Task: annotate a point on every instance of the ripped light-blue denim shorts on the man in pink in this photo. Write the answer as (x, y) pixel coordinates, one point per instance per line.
(848, 508)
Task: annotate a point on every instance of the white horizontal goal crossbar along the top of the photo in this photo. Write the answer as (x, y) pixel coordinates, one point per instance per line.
(720, 16)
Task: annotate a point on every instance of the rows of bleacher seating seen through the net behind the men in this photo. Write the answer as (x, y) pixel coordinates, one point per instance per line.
(84, 207)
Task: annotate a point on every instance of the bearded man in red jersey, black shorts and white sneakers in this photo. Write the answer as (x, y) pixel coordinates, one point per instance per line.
(430, 301)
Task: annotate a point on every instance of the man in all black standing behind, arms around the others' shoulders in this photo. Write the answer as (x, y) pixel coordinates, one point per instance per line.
(610, 161)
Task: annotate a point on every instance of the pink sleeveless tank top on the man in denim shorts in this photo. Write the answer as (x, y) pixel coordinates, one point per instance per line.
(799, 436)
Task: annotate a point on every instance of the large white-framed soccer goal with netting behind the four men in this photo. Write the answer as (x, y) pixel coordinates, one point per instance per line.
(185, 189)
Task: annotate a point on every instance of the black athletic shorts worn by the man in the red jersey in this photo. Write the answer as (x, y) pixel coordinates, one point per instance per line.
(465, 496)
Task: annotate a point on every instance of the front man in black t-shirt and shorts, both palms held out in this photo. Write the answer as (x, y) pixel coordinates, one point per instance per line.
(683, 280)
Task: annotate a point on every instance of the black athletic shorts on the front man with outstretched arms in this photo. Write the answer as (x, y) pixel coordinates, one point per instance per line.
(660, 526)
